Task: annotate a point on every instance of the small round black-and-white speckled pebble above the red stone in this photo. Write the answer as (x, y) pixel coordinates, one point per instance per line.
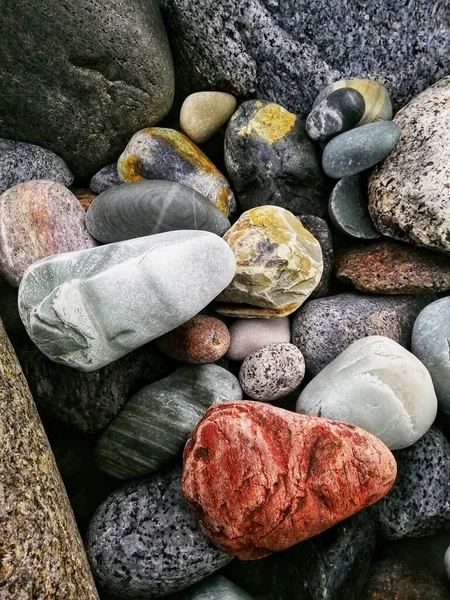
(272, 372)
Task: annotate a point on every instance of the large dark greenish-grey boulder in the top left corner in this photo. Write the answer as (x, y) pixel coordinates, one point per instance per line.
(82, 88)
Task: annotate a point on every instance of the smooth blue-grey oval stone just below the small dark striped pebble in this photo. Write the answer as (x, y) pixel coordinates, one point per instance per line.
(359, 149)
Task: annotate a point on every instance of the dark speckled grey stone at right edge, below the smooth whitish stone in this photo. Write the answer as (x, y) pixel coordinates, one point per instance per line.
(418, 504)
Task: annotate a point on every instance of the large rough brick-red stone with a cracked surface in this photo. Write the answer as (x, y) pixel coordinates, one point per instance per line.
(261, 479)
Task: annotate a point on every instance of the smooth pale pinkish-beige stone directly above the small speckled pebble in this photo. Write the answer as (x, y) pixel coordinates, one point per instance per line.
(248, 335)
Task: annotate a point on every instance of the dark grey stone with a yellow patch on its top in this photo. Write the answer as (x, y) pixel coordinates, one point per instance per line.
(270, 160)
